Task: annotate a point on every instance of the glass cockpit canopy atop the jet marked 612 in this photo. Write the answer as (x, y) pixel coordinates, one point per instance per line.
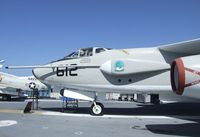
(86, 52)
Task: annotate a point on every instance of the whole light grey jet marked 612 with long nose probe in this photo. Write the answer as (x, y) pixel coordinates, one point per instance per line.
(174, 67)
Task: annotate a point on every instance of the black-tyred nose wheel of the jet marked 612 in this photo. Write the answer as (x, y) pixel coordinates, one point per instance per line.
(97, 110)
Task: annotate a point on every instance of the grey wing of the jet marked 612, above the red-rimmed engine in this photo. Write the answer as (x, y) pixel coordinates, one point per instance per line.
(185, 48)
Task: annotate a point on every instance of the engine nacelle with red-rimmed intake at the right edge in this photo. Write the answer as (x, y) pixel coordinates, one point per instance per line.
(185, 76)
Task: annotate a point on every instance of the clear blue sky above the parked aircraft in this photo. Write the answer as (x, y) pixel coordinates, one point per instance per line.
(39, 31)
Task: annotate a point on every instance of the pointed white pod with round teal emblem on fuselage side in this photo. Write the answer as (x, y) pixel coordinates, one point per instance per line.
(121, 67)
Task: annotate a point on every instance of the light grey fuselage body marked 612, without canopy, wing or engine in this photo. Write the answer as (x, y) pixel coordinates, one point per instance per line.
(87, 75)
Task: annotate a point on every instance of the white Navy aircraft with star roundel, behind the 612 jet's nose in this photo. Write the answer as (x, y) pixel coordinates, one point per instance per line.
(11, 85)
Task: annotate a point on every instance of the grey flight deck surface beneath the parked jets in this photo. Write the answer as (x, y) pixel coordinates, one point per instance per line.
(120, 119)
